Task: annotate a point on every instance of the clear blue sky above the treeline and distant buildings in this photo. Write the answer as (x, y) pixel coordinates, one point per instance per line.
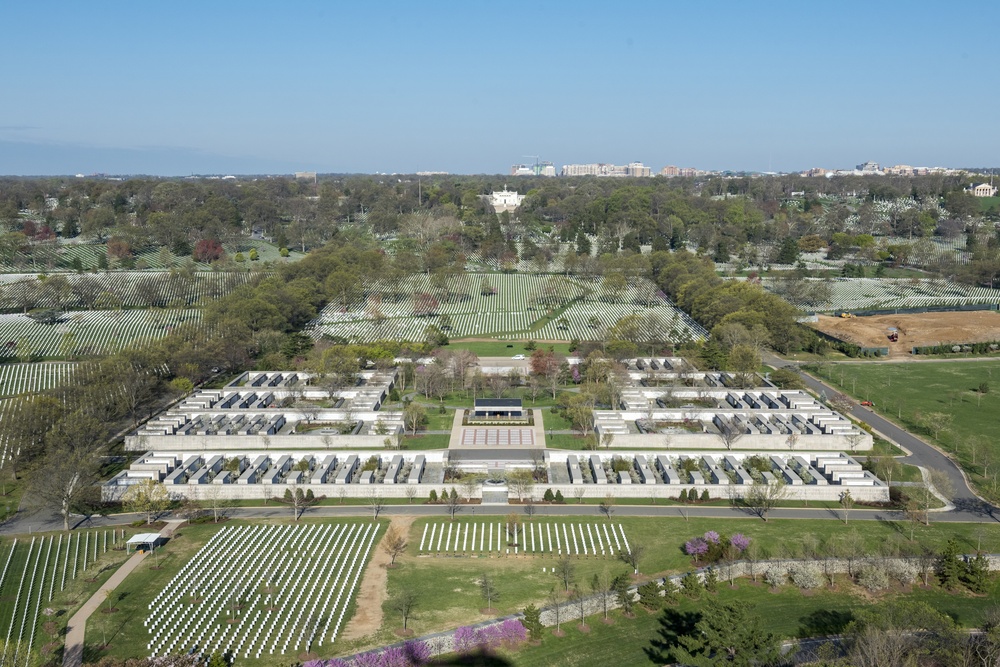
(183, 87)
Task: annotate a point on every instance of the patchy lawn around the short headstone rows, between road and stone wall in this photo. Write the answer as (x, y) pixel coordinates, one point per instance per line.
(450, 596)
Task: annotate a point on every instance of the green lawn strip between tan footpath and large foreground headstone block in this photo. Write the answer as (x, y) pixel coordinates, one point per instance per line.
(127, 636)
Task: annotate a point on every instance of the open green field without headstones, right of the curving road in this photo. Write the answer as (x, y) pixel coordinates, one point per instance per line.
(938, 400)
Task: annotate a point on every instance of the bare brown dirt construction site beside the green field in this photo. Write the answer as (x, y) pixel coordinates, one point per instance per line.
(914, 329)
